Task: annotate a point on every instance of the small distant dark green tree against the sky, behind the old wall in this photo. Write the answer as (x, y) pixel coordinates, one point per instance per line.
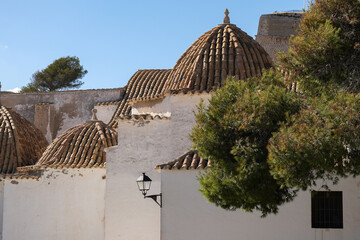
(63, 73)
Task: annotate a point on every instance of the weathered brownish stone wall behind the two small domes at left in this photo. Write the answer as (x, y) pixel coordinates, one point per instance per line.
(55, 112)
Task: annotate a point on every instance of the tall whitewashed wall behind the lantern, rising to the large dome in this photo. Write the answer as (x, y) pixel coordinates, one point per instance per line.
(141, 147)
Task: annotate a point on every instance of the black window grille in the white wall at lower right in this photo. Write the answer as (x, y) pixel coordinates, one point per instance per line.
(326, 209)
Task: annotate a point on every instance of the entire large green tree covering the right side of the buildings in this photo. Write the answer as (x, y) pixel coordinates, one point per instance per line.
(267, 143)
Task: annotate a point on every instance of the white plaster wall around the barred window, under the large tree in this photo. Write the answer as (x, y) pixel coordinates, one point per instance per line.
(186, 214)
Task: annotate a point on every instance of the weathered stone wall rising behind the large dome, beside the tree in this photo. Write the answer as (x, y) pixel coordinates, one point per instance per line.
(275, 30)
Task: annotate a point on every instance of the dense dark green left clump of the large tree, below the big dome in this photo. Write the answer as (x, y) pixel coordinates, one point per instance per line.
(234, 132)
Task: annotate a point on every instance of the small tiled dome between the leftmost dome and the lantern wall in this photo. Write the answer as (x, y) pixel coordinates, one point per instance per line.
(80, 146)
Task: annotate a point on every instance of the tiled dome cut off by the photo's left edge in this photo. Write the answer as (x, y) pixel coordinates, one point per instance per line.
(21, 143)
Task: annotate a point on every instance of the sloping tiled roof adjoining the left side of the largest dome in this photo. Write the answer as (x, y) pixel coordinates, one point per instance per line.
(144, 83)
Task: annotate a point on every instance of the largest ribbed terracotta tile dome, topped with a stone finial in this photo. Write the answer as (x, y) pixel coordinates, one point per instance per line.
(223, 51)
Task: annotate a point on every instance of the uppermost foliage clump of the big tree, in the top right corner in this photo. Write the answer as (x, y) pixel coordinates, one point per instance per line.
(326, 51)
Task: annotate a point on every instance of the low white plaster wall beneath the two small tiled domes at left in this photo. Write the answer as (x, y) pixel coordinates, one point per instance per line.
(63, 204)
